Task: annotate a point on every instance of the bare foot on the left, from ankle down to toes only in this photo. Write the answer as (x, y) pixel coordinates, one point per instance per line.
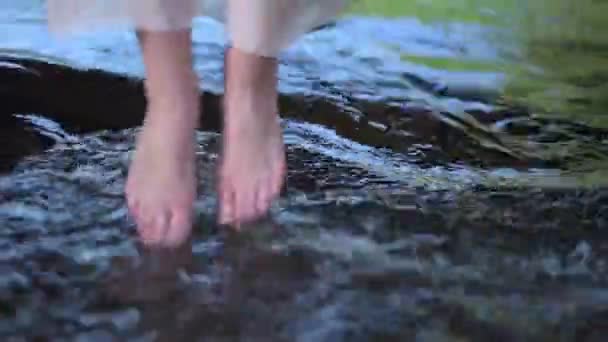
(161, 187)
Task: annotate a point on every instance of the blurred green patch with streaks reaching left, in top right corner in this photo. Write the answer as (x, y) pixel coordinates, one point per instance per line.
(565, 42)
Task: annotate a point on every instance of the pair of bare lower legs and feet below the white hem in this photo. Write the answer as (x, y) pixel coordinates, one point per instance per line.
(161, 186)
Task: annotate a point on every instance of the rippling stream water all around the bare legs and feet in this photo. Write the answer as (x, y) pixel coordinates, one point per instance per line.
(445, 184)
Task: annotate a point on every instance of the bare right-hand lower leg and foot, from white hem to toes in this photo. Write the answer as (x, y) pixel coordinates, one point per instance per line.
(253, 164)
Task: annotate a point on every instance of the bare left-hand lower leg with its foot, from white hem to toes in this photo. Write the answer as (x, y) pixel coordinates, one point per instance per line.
(161, 187)
